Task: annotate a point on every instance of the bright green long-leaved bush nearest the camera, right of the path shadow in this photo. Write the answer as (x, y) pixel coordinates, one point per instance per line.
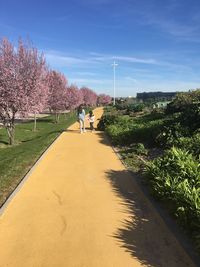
(175, 177)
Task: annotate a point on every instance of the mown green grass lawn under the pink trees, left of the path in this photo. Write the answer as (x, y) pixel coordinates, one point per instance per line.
(16, 160)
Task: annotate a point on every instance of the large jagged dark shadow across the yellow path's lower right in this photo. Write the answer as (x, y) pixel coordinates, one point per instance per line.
(144, 235)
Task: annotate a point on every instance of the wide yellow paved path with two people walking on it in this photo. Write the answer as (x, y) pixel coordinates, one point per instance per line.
(81, 208)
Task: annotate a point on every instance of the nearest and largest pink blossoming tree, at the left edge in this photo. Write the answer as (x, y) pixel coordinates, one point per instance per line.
(20, 78)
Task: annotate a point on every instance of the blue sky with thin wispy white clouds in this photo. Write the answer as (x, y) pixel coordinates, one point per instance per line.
(155, 42)
